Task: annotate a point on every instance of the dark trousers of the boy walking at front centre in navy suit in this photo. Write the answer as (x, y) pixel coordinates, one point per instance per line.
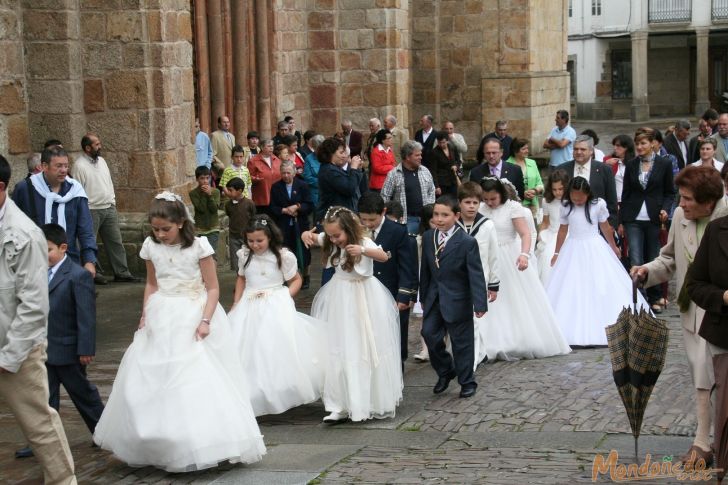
(462, 339)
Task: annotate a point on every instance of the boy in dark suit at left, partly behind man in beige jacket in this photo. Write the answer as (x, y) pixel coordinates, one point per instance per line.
(71, 329)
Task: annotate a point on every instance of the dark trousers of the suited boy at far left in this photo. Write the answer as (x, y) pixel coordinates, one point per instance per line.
(84, 395)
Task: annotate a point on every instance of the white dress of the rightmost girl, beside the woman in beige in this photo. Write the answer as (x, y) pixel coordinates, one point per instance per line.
(588, 286)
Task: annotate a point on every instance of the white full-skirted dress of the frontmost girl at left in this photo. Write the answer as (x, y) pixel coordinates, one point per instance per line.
(178, 403)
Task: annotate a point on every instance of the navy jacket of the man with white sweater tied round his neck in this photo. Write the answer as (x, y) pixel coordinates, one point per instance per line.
(79, 224)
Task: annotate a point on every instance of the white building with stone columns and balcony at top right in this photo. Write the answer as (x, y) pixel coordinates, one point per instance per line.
(642, 58)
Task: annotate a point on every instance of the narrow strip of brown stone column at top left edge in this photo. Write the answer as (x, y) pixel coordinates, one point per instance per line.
(14, 132)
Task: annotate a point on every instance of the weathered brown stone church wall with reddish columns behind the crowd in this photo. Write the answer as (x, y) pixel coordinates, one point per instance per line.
(137, 72)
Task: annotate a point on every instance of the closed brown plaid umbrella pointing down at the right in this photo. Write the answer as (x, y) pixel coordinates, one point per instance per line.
(637, 349)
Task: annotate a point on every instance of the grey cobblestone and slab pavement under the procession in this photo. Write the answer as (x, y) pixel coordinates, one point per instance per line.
(537, 421)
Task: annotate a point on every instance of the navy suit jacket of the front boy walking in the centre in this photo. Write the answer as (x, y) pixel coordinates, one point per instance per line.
(458, 282)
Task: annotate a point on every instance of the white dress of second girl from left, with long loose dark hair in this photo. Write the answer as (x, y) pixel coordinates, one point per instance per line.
(283, 352)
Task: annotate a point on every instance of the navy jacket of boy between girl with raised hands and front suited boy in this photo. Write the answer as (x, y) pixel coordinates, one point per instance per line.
(399, 274)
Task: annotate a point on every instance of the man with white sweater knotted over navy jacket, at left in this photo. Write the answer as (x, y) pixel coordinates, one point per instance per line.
(53, 196)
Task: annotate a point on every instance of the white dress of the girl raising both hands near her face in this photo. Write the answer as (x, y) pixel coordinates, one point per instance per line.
(364, 373)
